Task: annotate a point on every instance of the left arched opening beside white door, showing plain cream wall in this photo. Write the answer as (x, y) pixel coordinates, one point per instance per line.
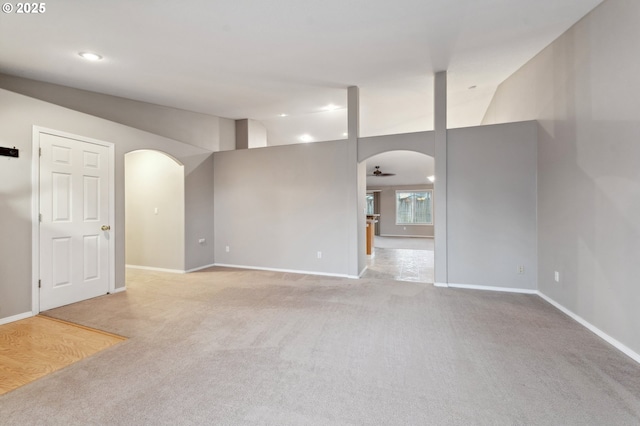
(154, 211)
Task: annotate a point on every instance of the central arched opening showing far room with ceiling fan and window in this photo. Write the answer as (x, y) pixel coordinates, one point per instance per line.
(400, 200)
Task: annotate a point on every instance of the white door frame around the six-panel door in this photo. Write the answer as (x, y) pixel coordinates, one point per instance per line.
(35, 209)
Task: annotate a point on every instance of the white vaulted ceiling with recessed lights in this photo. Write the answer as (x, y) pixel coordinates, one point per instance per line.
(261, 58)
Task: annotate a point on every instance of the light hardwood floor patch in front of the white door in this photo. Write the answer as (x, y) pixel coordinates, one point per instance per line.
(37, 346)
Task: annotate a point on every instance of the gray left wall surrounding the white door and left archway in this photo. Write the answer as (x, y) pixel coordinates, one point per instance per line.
(18, 115)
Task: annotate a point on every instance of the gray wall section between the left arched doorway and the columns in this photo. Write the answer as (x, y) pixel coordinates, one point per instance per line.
(276, 207)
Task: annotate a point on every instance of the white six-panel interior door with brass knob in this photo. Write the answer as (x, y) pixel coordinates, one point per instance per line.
(75, 222)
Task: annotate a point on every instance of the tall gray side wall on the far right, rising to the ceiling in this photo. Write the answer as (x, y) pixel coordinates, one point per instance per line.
(584, 89)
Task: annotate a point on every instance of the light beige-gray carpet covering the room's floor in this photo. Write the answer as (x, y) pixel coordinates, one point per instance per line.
(233, 347)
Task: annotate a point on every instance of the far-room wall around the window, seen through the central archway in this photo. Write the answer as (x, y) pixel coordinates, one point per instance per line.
(388, 213)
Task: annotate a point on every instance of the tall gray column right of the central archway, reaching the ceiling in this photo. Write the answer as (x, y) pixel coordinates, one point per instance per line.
(441, 278)
